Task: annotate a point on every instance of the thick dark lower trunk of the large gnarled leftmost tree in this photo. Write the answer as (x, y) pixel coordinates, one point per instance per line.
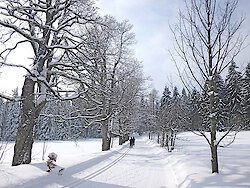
(25, 131)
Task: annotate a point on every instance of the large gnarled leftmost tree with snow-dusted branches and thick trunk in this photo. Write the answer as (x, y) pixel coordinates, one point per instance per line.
(49, 27)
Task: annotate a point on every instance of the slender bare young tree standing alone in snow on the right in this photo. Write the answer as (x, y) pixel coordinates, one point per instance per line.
(206, 41)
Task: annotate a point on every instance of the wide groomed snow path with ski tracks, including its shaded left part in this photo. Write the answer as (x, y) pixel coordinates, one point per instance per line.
(140, 167)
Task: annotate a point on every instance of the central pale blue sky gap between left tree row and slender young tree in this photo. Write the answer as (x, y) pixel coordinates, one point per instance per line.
(151, 19)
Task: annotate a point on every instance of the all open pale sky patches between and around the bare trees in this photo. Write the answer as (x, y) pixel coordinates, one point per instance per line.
(151, 20)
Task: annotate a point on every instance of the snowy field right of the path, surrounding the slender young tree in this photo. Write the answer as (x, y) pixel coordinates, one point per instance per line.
(192, 168)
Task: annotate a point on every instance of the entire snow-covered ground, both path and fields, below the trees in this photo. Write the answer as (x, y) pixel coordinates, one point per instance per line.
(145, 166)
